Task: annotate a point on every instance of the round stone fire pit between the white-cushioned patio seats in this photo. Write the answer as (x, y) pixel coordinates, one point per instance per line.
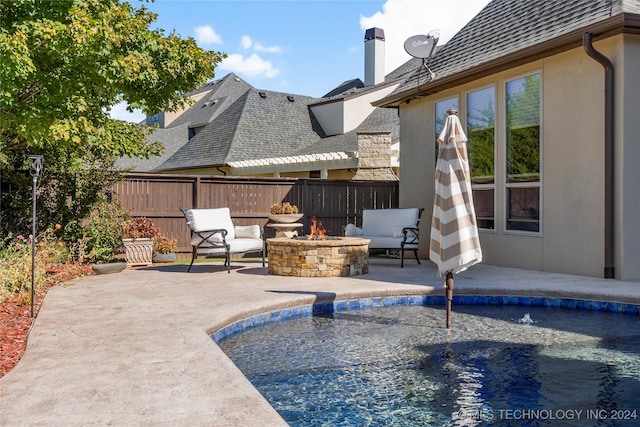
(334, 257)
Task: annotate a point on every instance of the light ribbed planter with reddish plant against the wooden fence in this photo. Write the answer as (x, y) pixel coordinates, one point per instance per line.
(138, 234)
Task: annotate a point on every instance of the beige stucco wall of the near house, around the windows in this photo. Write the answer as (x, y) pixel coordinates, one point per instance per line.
(572, 205)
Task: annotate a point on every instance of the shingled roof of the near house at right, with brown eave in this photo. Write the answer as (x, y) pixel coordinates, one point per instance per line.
(507, 33)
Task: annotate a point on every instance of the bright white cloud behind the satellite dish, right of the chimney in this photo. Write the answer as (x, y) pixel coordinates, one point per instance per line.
(447, 16)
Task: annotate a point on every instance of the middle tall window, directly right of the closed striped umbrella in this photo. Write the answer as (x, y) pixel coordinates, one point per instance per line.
(480, 148)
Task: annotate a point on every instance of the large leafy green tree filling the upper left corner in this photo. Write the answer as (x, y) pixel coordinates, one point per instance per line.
(63, 65)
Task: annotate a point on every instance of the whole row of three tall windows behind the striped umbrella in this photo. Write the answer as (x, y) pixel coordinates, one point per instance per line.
(509, 143)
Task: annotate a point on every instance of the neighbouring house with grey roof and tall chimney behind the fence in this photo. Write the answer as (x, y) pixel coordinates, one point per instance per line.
(235, 129)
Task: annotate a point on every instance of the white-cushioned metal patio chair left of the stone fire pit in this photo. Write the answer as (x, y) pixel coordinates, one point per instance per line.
(213, 234)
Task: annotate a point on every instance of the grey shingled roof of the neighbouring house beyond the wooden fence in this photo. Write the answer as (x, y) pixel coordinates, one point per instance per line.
(241, 125)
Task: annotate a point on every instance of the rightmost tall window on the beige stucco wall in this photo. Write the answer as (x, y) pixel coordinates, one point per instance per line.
(522, 106)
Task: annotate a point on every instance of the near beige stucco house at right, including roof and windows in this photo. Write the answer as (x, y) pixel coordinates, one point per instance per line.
(549, 94)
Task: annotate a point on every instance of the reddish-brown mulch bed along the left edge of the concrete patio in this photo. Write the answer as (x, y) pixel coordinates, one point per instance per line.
(15, 315)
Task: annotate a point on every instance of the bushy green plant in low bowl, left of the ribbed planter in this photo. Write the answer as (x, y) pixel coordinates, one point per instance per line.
(101, 240)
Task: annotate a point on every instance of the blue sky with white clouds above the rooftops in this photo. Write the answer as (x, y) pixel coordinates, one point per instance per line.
(303, 47)
